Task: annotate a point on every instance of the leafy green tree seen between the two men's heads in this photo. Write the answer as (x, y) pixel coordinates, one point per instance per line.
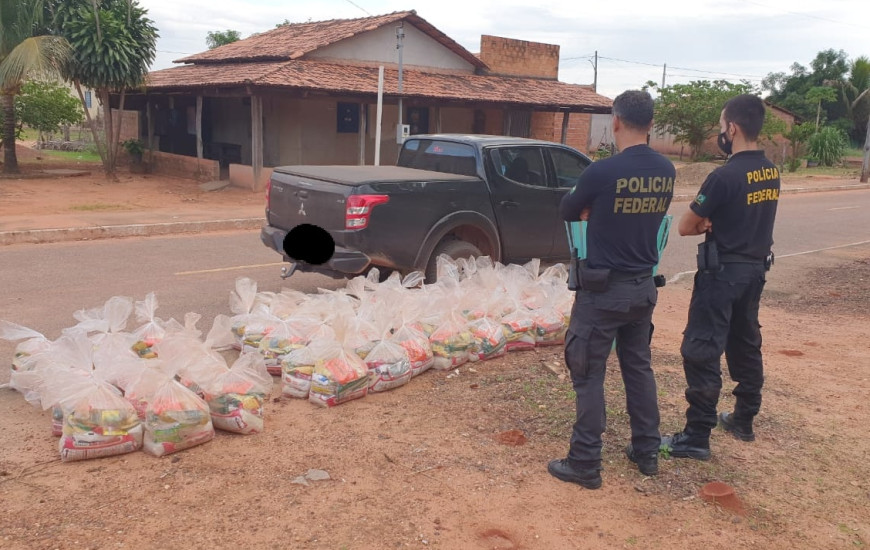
(690, 112)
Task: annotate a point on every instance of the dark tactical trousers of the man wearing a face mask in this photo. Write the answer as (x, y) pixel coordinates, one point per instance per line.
(723, 316)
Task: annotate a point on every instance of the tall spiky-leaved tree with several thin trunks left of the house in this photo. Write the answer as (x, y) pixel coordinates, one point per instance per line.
(113, 45)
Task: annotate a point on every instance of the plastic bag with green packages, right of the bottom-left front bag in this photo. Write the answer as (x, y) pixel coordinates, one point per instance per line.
(175, 419)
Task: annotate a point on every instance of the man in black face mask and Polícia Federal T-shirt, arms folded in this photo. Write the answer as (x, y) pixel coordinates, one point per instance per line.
(735, 208)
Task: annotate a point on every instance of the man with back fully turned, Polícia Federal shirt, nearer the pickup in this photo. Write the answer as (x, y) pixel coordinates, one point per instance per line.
(624, 199)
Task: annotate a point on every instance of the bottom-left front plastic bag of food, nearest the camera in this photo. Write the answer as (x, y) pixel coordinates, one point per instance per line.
(100, 423)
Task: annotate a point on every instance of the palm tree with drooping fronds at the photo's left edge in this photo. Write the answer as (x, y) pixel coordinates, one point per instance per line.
(21, 55)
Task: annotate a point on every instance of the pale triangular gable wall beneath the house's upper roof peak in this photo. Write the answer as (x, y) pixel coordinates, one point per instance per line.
(379, 45)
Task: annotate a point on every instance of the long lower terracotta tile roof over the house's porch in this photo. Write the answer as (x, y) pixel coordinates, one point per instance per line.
(359, 79)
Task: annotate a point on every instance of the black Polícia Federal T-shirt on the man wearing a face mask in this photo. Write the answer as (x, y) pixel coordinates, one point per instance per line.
(740, 200)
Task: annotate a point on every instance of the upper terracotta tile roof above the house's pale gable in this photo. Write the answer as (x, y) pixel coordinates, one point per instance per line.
(295, 40)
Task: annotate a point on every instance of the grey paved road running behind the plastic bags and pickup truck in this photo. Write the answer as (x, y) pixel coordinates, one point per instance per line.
(44, 284)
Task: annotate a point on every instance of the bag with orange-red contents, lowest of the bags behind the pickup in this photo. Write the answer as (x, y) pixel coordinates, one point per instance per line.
(339, 376)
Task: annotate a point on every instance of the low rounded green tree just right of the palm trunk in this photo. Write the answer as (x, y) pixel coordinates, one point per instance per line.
(46, 106)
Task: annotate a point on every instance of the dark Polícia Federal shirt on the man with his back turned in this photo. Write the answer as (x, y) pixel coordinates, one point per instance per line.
(628, 195)
